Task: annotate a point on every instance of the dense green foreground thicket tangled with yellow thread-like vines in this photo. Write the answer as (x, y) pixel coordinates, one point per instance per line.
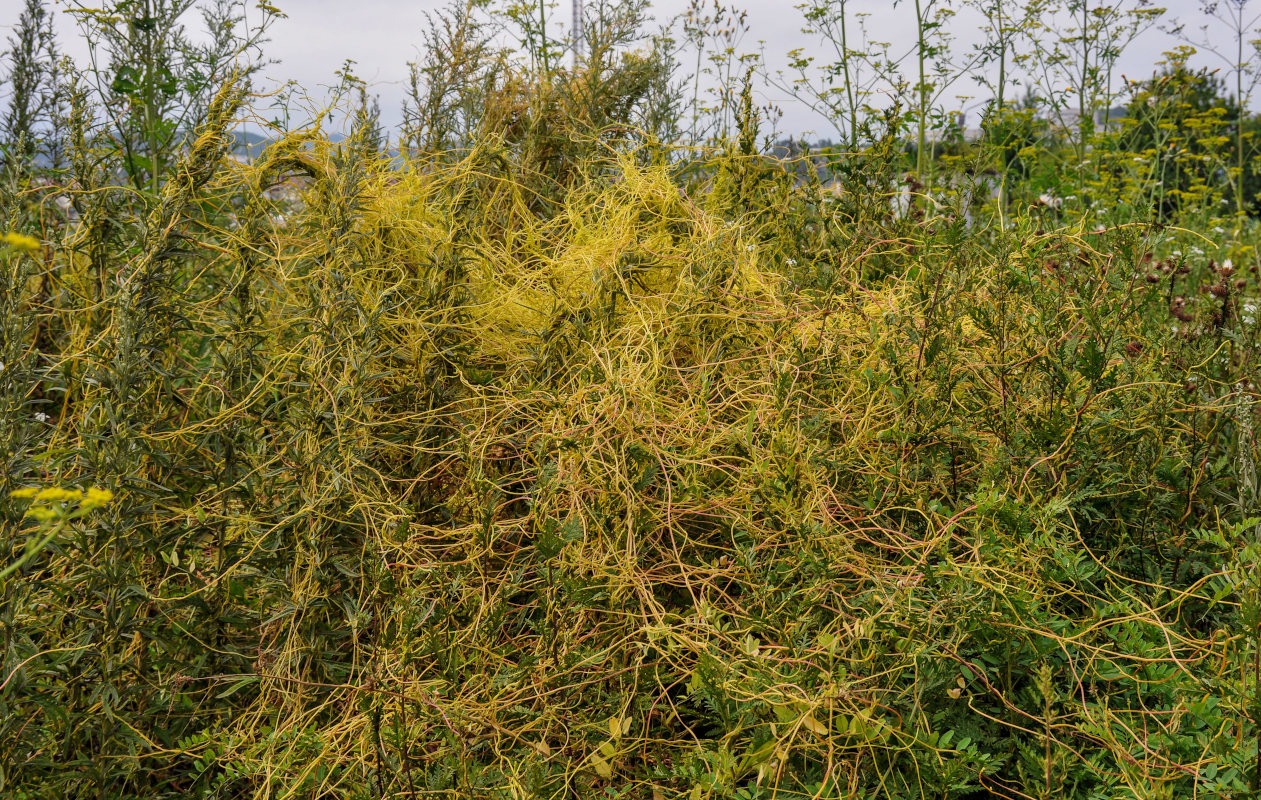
(423, 493)
